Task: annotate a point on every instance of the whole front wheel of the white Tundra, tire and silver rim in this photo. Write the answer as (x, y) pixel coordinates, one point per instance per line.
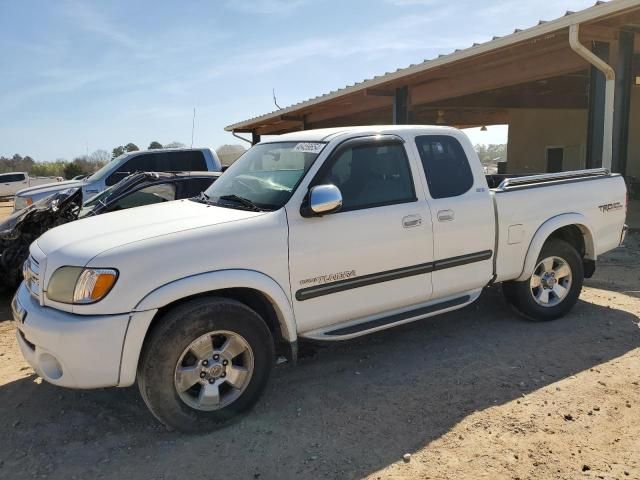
(206, 362)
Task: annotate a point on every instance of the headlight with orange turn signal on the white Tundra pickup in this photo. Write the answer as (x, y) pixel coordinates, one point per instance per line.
(79, 285)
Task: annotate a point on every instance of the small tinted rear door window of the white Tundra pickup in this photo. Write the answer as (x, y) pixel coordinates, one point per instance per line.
(445, 165)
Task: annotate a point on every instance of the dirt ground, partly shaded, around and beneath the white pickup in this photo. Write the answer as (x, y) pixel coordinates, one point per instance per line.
(478, 393)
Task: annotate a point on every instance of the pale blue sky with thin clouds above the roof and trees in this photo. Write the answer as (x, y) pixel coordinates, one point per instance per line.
(80, 76)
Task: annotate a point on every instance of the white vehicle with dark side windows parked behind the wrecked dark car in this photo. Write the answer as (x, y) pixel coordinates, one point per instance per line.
(160, 160)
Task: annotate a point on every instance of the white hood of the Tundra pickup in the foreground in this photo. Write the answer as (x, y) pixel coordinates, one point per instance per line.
(80, 241)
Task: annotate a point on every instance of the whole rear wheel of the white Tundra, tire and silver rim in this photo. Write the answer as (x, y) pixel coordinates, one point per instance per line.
(553, 288)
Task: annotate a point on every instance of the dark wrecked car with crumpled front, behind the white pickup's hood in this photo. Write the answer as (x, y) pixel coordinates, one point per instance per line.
(19, 230)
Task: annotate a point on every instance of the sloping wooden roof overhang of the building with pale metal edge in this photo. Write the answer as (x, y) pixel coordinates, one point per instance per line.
(530, 55)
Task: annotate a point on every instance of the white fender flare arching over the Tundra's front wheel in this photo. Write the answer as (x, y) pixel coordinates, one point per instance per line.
(144, 312)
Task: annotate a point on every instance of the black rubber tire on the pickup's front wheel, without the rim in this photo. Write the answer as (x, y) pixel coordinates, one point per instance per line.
(172, 337)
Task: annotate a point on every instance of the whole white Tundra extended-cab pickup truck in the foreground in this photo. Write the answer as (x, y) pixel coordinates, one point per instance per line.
(321, 234)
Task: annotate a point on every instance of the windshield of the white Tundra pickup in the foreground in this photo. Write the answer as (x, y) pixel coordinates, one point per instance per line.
(265, 176)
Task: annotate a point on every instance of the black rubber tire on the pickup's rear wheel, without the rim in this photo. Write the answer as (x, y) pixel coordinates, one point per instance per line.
(521, 296)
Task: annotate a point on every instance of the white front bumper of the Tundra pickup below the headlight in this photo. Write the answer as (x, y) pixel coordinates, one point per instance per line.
(77, 351)
